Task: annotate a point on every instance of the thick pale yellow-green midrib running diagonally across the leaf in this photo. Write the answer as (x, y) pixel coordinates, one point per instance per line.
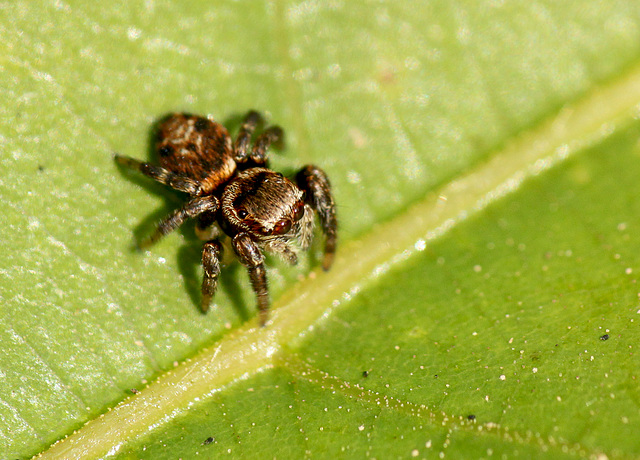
(251, 348)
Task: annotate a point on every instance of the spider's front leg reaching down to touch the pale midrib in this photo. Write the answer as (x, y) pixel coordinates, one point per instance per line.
(251, 257)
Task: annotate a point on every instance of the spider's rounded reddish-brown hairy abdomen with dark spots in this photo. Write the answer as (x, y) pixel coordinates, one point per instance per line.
(197, 148)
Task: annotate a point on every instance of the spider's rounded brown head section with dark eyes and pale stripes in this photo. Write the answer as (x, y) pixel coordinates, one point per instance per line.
(264, 204)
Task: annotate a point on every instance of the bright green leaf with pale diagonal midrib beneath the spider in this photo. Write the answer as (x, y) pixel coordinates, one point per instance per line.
(484, 159)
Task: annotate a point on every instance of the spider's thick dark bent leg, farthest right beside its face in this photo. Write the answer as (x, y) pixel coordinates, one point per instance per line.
(315, 183)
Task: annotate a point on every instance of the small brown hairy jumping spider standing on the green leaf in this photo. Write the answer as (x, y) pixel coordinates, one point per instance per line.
(232, 191)
